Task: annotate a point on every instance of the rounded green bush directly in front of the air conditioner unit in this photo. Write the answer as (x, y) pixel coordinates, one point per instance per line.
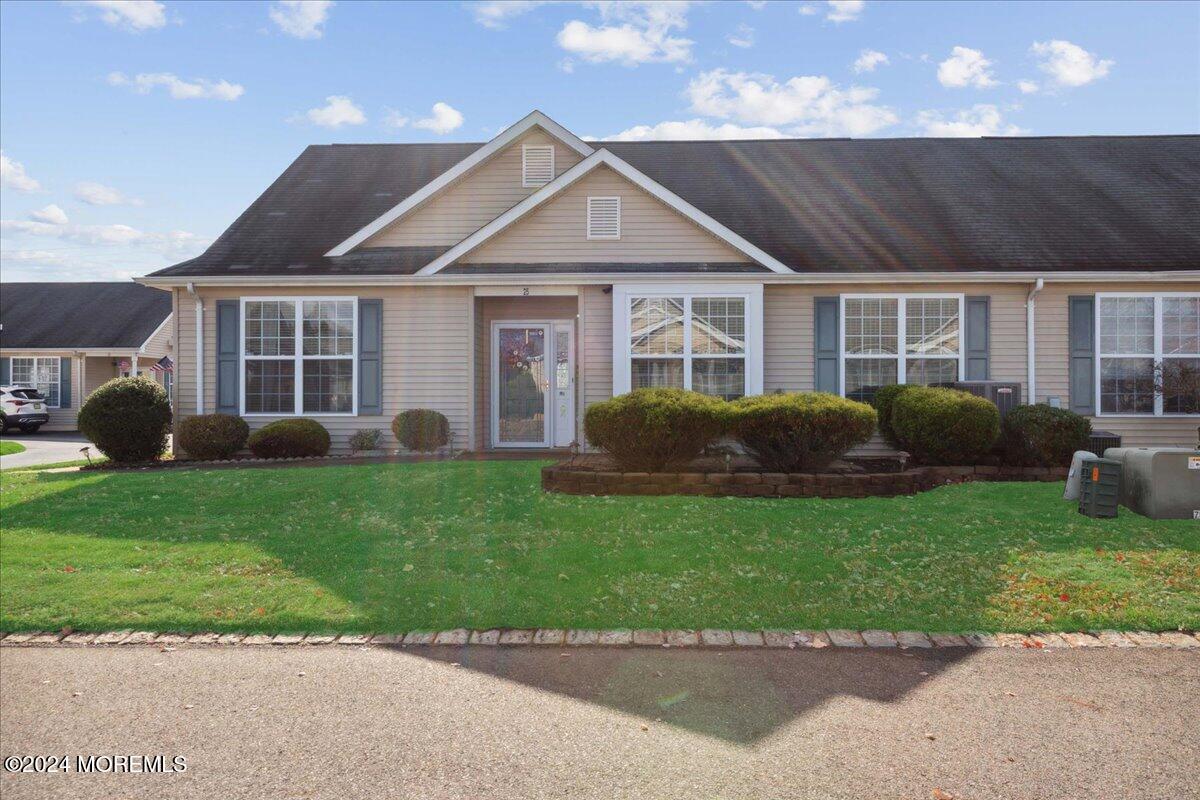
(945, 426)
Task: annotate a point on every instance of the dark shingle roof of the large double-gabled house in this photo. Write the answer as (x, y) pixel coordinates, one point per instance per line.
(818, 206)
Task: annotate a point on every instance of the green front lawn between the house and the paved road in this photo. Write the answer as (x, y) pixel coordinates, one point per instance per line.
(400, 548)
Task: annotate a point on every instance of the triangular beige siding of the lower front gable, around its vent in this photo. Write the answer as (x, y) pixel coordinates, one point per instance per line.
(650, 231)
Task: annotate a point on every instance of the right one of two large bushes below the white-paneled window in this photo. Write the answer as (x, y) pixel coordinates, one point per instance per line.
(790, 434)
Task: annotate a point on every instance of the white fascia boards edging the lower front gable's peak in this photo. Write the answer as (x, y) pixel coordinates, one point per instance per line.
(626, 171)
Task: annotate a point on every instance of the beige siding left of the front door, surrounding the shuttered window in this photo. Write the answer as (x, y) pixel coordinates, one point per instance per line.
(427, 341)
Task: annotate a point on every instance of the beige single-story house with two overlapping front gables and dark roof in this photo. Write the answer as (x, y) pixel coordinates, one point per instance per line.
(511, 285)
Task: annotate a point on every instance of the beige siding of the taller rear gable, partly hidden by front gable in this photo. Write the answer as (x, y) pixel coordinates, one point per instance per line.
(475, 201)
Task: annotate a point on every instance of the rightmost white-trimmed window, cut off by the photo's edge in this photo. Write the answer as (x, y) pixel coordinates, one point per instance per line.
(1149, 353)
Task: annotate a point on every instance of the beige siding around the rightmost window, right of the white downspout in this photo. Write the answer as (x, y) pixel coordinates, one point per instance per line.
(1053, 365)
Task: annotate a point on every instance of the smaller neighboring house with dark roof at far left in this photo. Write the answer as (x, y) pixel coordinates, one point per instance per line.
(69, 339)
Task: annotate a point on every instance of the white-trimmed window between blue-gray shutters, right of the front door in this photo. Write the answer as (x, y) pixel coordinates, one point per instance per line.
(899, 340)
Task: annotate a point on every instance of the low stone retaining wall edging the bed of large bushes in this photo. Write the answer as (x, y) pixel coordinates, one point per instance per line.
(572, 479)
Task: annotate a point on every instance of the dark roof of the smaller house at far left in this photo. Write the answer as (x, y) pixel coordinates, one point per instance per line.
(80, 315)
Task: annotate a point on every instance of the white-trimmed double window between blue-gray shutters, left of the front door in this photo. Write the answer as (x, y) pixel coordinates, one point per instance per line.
(299, 356)
